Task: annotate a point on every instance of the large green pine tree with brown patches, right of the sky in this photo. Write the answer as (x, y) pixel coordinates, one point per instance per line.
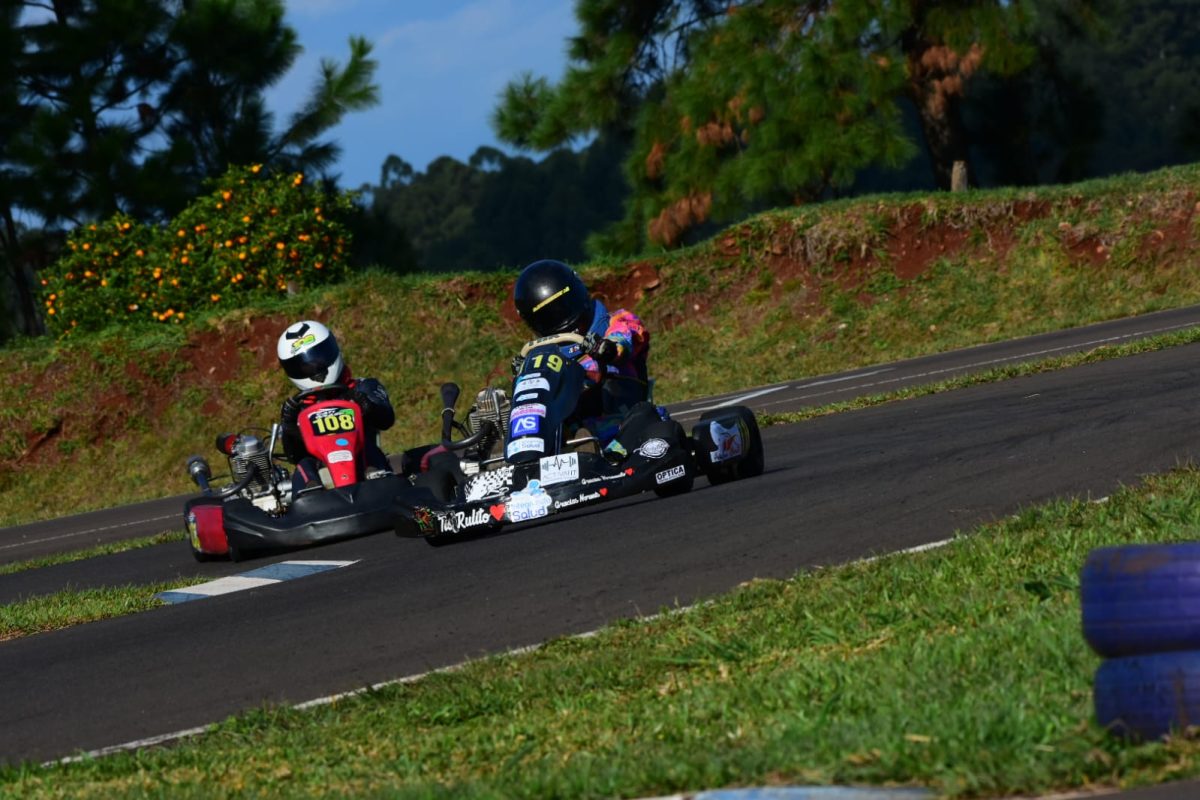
(733, 105)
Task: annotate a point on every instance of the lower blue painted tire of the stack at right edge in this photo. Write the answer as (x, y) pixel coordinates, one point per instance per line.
(1149, 696)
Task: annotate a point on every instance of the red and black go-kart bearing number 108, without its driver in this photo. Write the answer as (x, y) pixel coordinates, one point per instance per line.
(259, 513)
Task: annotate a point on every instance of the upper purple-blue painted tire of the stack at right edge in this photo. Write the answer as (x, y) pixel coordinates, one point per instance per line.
(1142, 599)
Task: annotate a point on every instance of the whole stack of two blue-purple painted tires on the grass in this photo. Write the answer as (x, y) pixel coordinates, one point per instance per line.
(1142, 613)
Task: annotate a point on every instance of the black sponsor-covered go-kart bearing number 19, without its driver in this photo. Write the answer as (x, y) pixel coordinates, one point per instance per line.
(515, 465)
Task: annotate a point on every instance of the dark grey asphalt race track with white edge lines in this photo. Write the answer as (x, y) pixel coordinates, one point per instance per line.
(836, 489)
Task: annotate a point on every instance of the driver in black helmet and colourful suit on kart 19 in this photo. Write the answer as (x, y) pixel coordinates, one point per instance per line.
(551, 299)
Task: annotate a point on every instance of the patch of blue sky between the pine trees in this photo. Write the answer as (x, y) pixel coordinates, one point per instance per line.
(442, 65)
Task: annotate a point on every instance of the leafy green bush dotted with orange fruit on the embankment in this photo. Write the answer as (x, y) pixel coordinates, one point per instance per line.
(253, 236)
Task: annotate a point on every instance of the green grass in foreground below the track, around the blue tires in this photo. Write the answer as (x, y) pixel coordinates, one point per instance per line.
(962, 670)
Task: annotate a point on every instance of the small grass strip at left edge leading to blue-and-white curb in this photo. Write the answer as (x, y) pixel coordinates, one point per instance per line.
(79, 606)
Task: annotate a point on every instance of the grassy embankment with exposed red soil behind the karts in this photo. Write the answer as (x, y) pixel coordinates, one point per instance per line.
(787, 294)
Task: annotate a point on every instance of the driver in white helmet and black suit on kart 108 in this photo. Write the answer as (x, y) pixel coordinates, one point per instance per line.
(311, 359)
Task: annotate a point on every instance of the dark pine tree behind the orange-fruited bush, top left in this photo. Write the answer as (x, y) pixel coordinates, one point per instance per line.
(130, 105)
